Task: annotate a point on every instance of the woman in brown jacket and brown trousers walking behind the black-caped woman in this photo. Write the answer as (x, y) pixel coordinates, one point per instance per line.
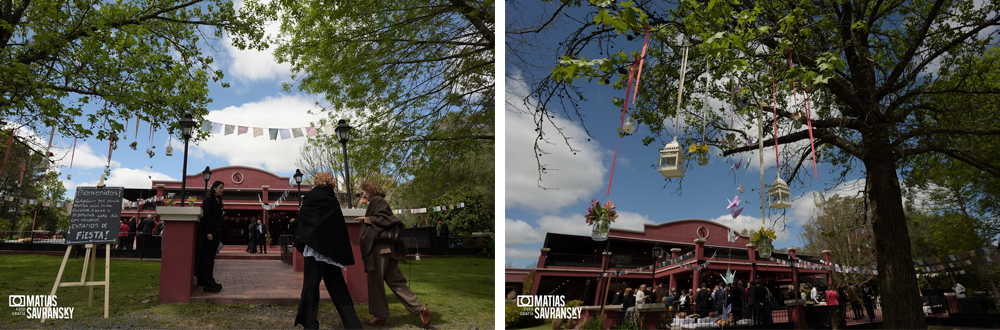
(381, 256)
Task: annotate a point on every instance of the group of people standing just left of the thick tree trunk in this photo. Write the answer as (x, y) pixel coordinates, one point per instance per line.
(843, 295)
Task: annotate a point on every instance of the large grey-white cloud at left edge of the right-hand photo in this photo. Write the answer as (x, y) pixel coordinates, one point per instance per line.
(570, 175)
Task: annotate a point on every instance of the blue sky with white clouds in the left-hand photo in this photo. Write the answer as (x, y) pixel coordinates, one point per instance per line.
(254, 99)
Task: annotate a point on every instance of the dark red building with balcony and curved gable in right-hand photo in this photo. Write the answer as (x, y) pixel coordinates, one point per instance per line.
(695, 251)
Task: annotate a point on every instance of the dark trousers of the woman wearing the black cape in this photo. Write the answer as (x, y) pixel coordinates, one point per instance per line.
(333, 276)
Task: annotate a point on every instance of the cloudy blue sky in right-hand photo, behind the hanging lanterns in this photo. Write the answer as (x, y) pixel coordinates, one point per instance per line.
(640, 193)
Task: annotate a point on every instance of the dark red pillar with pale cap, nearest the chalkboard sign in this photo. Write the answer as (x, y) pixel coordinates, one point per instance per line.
(177, 260)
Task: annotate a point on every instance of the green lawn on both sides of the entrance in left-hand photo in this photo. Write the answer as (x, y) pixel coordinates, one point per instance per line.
(459, 292)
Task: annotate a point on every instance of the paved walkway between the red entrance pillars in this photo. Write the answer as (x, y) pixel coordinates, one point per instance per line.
(254, 279)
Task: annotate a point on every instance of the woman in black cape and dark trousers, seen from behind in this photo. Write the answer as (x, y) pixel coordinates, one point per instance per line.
(321, 235)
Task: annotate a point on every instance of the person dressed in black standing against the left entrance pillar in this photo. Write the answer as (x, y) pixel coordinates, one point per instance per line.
(208, 235)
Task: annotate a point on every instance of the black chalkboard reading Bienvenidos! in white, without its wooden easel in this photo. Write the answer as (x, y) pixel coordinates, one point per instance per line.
(96, 216)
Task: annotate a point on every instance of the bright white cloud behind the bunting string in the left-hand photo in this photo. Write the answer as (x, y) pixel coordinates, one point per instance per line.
(272, 112)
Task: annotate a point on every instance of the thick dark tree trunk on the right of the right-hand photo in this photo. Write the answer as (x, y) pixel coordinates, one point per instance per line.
(896, 278)
